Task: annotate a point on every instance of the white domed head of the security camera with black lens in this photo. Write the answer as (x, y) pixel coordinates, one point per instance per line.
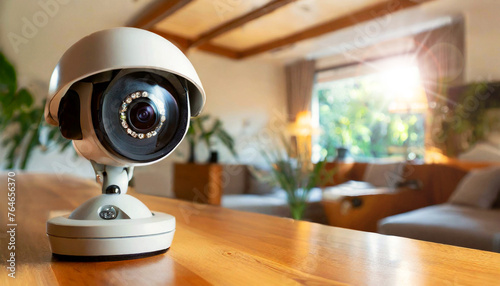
(124, 77)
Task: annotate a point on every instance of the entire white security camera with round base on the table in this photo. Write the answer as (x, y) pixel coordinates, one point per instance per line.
(125, 97)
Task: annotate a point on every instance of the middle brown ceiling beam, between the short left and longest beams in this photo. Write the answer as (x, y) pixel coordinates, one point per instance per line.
(240, 21)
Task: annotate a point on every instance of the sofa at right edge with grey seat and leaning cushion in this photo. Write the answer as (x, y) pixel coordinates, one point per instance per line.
(466, 211)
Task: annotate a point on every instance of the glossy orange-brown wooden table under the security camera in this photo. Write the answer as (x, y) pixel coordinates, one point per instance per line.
(213, 245)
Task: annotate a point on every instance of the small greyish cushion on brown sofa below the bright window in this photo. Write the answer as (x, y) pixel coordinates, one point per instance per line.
(384, 175)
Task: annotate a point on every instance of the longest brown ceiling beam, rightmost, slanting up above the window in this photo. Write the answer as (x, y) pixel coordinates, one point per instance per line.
(366, 14)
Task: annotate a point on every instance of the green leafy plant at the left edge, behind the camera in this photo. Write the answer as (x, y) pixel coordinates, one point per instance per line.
(22, 122)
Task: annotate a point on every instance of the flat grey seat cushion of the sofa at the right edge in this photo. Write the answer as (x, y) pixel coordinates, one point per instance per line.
(448, 224)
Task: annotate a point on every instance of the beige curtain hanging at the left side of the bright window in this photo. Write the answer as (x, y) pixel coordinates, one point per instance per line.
(299, 86)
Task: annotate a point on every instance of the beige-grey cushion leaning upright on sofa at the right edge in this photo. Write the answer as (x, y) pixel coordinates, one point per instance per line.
(479, 188)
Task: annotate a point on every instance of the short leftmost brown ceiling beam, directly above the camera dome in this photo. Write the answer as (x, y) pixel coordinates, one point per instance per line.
(158, 13)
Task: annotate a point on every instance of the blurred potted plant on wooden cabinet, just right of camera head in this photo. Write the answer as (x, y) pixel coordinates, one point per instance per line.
(208, 135)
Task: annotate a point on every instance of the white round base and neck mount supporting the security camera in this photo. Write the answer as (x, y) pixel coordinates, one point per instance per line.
(111, 226)
